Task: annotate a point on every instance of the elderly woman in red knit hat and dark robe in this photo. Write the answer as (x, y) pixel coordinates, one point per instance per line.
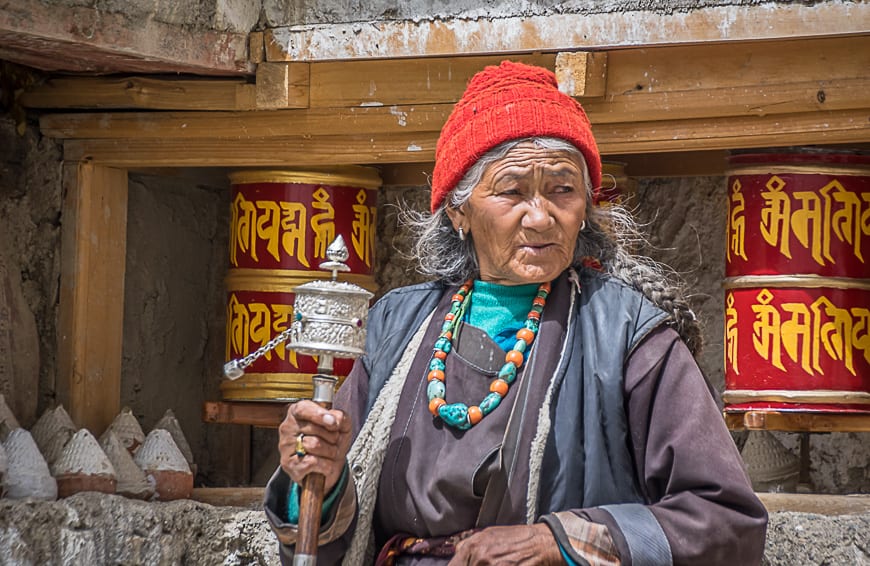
(539, 402)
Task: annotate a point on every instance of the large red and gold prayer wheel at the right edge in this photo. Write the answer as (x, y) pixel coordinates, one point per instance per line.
(797, 288)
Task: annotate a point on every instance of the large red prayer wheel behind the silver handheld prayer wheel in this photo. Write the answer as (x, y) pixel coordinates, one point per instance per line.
(281, 224)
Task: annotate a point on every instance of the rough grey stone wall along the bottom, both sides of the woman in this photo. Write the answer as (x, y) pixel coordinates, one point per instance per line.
(91, 528)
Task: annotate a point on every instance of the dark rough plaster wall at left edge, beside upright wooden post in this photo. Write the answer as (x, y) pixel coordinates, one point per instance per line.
(30, 204)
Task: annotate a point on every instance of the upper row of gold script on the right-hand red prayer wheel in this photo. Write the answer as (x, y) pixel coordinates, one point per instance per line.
(814, 217)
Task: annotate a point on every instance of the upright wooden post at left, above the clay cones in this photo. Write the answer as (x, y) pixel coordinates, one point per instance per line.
(91, 312)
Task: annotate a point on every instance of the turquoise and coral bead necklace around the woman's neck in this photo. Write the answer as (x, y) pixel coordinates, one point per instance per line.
(460, 415)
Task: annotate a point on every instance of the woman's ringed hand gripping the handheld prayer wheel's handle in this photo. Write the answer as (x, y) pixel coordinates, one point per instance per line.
(325, 440)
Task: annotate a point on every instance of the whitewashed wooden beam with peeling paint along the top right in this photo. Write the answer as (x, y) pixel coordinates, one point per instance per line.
(564, 31)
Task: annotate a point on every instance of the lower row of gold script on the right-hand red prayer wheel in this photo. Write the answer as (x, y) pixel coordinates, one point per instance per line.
(808, 332)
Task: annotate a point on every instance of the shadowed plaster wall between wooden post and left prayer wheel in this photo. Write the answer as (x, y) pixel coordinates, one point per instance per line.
(175, 308)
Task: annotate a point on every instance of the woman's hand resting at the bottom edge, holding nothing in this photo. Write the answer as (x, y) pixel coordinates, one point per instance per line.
(520, 544)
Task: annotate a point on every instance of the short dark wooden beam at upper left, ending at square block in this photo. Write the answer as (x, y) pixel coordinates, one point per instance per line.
(139, 92)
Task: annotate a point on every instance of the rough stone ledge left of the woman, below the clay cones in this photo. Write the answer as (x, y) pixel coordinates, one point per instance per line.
(91, 528)
